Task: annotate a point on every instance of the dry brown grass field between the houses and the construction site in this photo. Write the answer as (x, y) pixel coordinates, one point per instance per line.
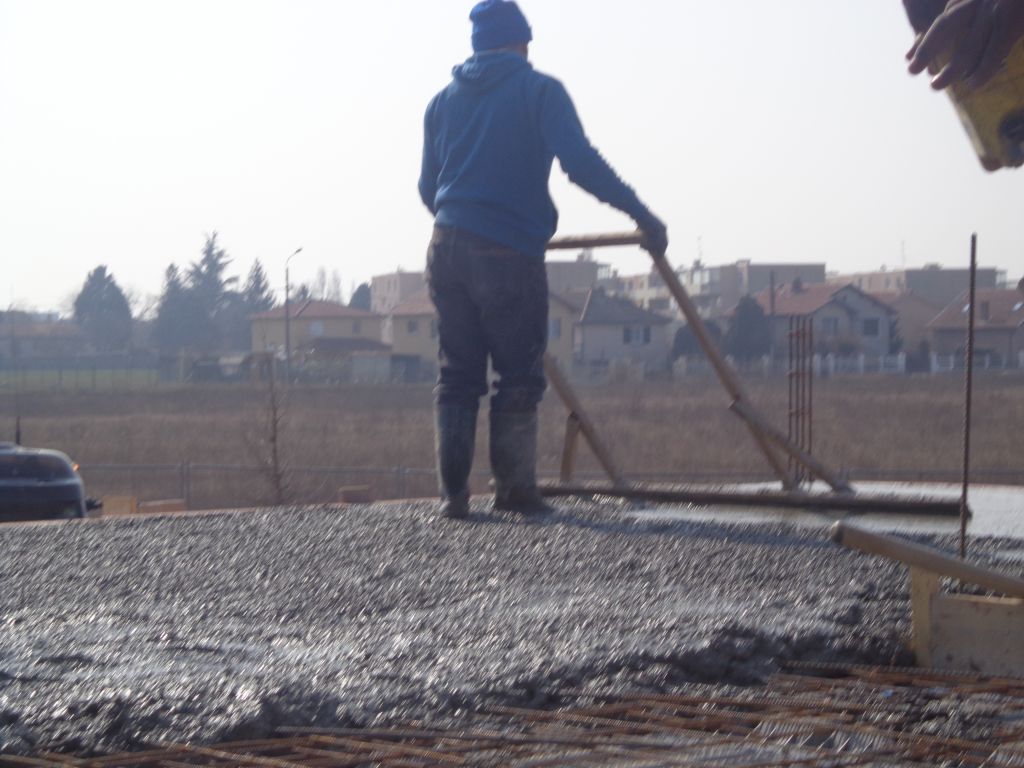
(869, 424)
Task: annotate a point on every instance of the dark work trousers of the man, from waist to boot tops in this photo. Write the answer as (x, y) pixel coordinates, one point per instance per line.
(492, 303)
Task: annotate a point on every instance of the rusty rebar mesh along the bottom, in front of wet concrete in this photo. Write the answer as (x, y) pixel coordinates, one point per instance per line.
(841, 717)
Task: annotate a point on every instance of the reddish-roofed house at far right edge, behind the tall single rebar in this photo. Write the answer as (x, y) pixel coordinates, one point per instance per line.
(999, 326)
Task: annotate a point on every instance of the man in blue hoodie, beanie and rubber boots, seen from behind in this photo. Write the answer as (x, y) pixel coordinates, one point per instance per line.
(491, 139)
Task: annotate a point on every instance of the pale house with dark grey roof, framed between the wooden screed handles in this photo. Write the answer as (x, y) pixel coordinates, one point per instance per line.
(614, 330)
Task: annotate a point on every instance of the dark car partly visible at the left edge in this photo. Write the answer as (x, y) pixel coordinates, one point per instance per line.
(39, 485)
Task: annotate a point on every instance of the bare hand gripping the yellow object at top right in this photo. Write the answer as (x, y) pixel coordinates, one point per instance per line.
(979, 33)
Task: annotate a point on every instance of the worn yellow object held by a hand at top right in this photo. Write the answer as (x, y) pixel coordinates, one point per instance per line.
(994, 115)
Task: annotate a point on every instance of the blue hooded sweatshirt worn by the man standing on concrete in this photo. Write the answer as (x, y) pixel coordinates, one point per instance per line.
(490, 141)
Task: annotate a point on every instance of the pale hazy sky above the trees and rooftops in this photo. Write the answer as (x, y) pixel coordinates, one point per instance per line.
(772, 132)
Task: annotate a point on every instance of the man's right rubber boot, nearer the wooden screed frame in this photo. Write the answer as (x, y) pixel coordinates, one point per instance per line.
(514, 461)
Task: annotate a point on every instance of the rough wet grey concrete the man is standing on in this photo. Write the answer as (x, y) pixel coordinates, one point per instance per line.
(119, 634)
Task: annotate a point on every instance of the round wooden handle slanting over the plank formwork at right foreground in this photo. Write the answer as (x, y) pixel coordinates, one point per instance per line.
(926, 559)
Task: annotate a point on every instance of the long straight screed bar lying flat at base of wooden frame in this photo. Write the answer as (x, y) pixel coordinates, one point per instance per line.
(782, 500)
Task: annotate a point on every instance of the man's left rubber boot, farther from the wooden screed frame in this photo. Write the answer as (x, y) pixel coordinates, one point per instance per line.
(455, 442)
